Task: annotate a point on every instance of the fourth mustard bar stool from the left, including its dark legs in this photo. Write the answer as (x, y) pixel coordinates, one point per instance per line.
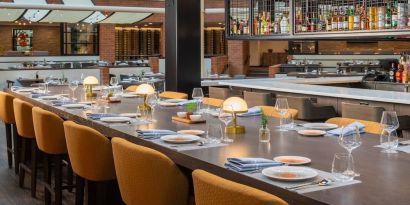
(91, 158)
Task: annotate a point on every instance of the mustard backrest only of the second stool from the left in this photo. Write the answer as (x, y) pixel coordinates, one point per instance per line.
(24, 118)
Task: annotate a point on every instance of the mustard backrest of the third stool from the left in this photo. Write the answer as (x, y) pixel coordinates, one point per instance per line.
(49, 131)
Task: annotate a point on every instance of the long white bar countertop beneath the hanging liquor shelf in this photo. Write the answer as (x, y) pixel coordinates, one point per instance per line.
(316, 86)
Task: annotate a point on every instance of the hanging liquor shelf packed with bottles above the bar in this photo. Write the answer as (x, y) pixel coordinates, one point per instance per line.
(302, 19)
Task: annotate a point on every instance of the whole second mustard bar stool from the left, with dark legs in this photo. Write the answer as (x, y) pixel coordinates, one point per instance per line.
(25, 130)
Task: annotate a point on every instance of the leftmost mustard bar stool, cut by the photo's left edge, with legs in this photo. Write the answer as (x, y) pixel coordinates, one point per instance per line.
(7, 116)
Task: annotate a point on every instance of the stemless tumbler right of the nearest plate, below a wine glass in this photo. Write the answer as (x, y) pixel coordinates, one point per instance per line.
(341, 165)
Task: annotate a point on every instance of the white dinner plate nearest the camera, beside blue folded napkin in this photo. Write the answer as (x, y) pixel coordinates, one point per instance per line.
(289, 173)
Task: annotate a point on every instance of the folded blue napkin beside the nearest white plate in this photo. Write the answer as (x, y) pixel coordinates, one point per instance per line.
(249, 164)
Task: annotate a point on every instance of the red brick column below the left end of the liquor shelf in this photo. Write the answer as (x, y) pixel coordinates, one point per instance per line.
(238, 57)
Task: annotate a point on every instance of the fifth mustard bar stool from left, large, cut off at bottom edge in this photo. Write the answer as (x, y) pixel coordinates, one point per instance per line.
(142, 179)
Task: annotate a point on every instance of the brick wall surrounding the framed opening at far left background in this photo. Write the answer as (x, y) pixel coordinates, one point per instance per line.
(45, 38)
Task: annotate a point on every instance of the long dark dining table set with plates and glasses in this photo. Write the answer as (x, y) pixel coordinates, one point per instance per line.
(385, 178)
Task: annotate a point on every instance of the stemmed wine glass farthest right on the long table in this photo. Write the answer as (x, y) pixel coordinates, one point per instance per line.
(390, 123)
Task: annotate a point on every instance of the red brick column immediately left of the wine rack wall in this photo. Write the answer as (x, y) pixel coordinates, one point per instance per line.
(107, 42)
